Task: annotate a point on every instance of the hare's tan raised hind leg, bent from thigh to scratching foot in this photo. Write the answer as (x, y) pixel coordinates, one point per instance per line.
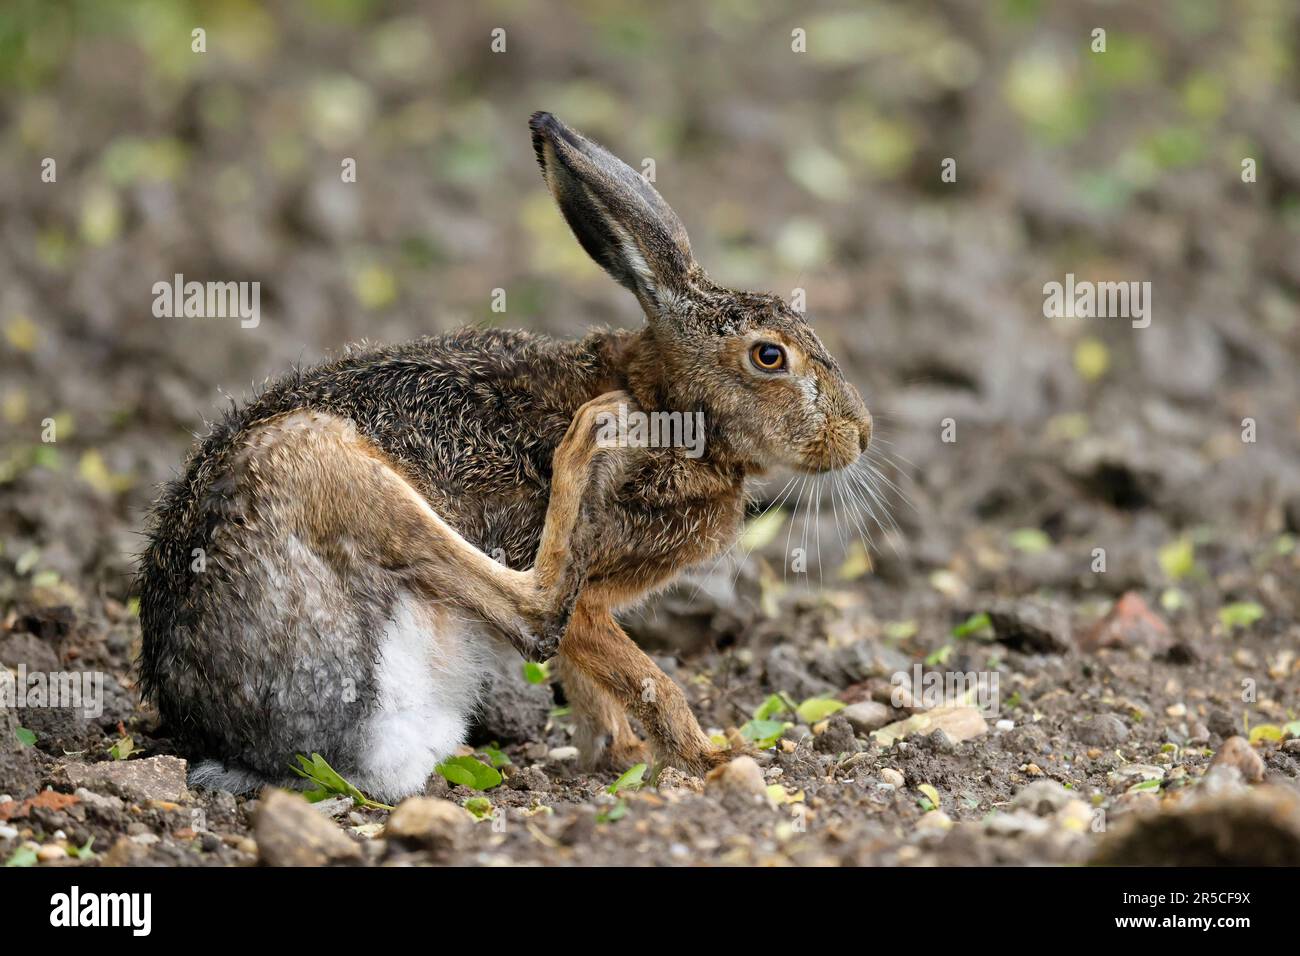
(311, 474)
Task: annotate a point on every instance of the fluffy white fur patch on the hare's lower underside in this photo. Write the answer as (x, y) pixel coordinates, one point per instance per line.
(430, 676)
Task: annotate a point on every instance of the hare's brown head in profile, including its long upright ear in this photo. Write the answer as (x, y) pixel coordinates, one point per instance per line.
(769, 390)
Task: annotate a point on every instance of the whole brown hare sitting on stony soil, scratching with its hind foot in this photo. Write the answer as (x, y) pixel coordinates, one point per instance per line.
(346, 555)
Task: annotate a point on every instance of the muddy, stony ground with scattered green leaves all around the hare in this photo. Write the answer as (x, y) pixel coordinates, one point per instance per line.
(1102, 516)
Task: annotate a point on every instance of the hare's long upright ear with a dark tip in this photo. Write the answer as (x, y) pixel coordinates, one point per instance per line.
(618, 217)
